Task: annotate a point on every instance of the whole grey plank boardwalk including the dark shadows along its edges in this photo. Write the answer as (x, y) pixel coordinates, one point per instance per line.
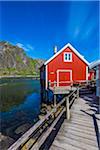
(82, 128)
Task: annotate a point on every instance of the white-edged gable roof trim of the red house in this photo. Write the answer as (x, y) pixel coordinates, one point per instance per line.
(73, 49)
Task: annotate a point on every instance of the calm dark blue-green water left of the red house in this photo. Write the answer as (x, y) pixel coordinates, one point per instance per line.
(19, 105)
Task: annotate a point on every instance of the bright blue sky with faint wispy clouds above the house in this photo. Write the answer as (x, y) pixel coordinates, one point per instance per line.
(38, 26)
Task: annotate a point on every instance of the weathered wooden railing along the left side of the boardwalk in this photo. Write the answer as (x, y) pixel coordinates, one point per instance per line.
(29, 135)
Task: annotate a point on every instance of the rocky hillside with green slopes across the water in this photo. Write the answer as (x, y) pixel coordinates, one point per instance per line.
(14, 61)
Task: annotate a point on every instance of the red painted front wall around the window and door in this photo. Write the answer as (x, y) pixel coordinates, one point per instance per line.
(77, 66)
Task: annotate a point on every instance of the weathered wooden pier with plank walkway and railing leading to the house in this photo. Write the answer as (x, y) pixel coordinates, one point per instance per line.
(79, 131)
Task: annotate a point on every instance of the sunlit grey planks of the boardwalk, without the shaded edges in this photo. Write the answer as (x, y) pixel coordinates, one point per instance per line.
(79, 132)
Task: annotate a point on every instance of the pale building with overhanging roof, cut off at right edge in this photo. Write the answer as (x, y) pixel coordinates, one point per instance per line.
(96, 65)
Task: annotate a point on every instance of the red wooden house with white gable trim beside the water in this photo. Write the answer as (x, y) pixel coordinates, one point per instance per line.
(65, 66)
